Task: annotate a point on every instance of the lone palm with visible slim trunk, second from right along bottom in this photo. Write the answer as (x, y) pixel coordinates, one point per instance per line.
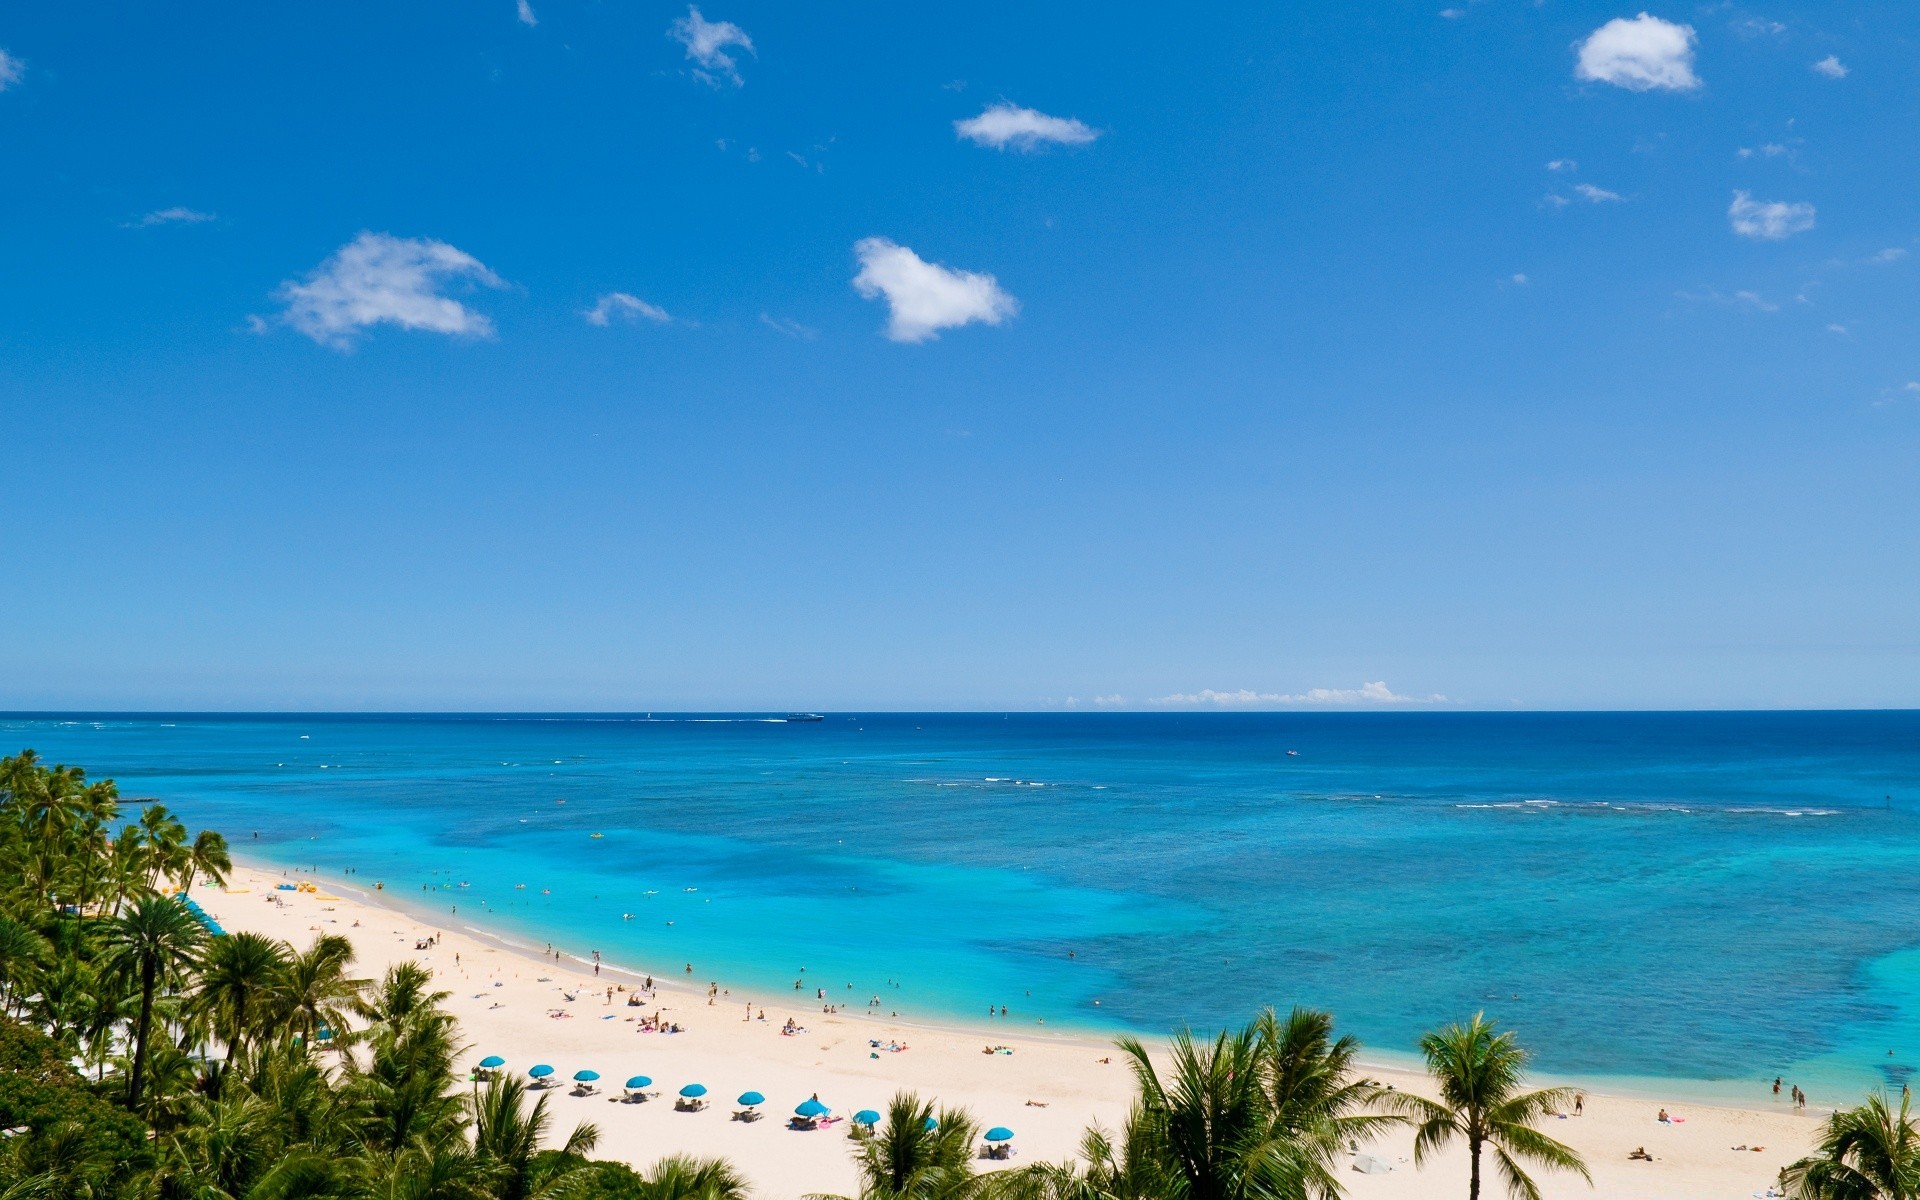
(1481, 1101)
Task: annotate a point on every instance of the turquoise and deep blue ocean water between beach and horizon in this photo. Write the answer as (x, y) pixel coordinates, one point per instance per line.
(1712, 898)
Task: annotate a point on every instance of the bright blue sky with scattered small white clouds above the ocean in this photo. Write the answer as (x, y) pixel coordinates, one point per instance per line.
(629, 356)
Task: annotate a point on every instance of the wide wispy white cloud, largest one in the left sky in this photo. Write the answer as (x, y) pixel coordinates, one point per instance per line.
(379, 279)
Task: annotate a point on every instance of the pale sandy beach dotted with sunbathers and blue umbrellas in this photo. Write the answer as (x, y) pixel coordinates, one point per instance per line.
(1047, 1090)
